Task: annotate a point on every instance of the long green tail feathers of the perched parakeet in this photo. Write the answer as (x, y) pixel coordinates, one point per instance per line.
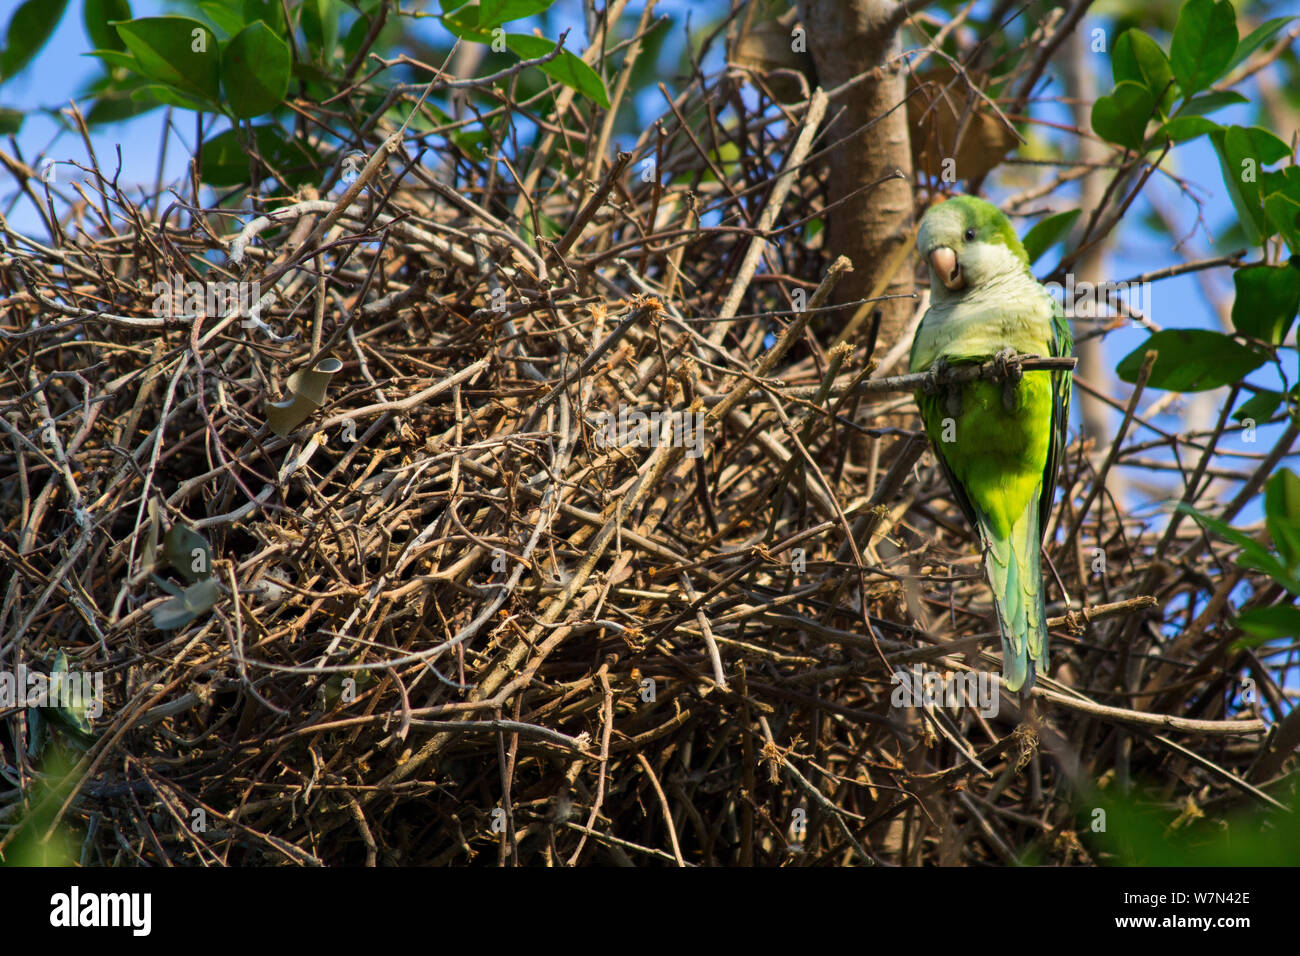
(1016, 577)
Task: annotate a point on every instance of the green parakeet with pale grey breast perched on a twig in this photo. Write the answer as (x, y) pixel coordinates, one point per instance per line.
(999, 443)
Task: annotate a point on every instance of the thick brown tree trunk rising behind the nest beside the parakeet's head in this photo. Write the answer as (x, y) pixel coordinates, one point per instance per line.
(848, 38)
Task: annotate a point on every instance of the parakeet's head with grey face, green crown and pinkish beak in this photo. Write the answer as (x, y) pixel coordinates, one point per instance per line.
(968, 243)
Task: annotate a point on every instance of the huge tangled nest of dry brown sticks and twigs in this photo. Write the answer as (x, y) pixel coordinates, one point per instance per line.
(444, 618)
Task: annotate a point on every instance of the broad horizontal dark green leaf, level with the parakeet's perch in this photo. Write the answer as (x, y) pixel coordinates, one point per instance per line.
(1191, 361)
